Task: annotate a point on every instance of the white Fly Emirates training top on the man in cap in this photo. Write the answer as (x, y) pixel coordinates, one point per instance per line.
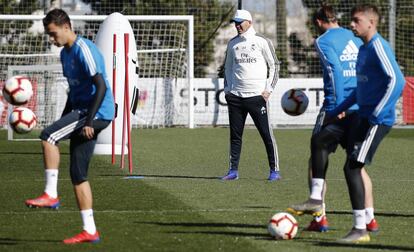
(248, 59)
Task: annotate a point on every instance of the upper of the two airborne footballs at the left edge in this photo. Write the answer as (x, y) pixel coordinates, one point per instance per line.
(17, 90)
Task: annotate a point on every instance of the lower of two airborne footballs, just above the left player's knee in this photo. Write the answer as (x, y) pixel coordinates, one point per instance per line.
(22, 120)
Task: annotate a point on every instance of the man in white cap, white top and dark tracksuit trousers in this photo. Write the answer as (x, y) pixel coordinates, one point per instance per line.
(250, 74)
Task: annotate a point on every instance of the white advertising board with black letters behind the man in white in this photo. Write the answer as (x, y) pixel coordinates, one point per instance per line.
(210, 107)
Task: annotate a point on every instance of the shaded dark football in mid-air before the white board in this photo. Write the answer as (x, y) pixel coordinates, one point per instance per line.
(294, 102)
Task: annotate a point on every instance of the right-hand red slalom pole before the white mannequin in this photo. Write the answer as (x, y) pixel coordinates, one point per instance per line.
(127, 110)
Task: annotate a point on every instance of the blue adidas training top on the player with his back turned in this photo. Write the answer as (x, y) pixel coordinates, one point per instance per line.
(338, 51)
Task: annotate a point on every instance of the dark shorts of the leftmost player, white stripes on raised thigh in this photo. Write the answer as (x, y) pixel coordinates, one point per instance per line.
(81, 148)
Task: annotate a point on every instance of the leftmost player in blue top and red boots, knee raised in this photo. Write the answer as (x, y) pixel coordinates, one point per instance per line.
(89, 109)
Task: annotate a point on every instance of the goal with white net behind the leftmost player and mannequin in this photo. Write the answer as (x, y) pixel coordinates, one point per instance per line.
(165, 58)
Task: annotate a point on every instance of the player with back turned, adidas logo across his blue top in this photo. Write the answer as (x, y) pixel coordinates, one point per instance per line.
(338, 49)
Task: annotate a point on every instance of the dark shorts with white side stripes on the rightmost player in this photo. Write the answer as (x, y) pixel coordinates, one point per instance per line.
(365, 139)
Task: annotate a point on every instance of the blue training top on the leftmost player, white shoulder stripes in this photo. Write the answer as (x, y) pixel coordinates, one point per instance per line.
(81, 62)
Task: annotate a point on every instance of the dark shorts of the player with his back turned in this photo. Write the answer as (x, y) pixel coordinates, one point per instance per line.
(336, 132)
